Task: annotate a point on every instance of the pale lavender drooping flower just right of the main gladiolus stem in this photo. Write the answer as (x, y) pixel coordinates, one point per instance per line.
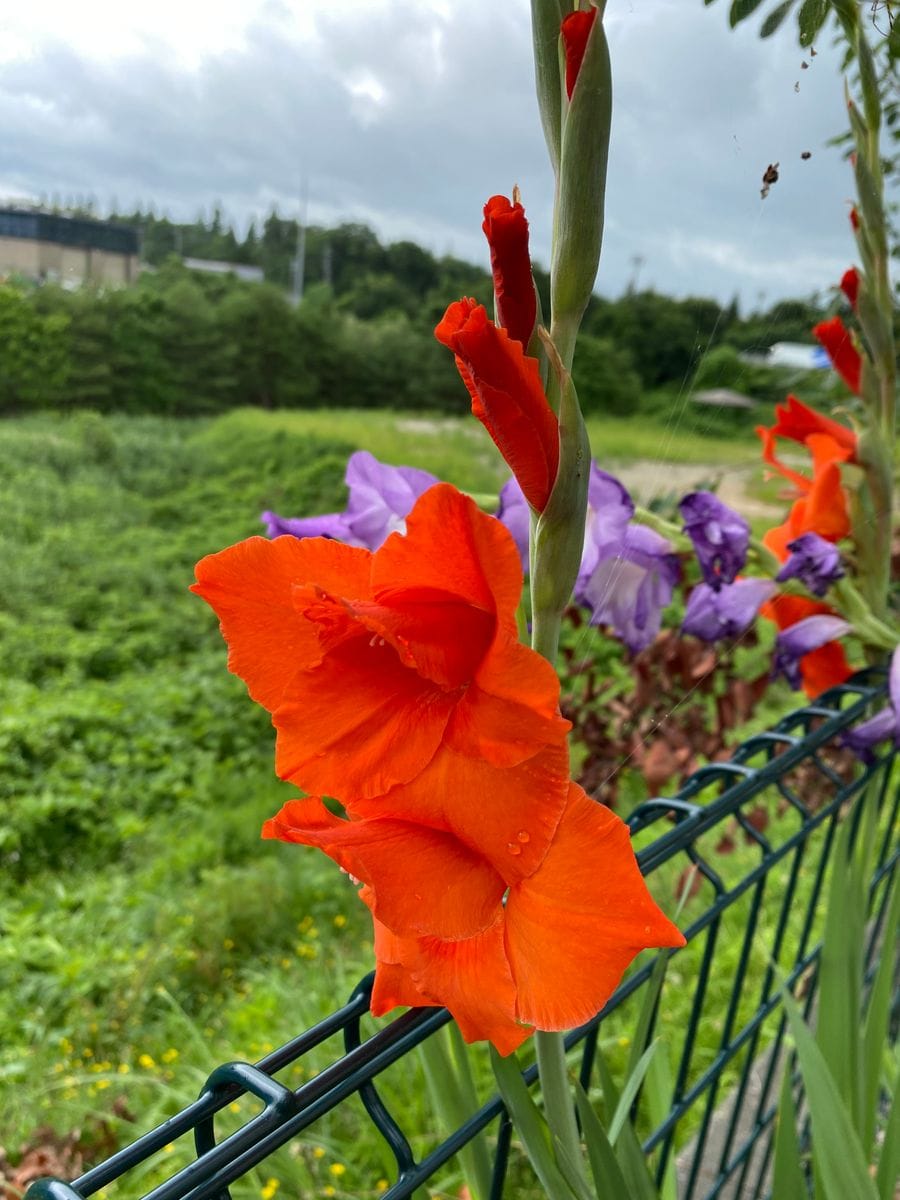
(631, 586)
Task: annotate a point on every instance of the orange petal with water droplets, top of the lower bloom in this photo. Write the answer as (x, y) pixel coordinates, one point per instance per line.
(508, 815)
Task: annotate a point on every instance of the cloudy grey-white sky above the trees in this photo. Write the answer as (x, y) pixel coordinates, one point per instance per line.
(409, 115)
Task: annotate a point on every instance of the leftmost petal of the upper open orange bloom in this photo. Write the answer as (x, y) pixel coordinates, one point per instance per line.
(250, 587)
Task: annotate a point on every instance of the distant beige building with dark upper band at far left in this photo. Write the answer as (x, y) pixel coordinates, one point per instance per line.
(47, 247)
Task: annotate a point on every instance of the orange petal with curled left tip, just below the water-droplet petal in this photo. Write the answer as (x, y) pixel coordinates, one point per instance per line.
(422, 881)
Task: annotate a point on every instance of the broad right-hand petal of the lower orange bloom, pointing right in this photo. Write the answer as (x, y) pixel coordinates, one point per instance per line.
(577, 923)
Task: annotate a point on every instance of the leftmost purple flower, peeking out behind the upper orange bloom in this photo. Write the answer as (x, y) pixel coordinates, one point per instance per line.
(381, 499)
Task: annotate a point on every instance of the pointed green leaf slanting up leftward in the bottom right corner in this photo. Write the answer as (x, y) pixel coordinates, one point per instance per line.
(839, 1157)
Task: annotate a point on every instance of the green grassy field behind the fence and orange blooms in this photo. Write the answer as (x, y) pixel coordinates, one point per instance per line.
(147, 934)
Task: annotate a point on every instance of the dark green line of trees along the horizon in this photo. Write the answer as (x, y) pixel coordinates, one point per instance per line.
(185, 343)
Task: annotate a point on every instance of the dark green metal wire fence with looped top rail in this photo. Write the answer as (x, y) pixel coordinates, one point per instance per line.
(749, 844)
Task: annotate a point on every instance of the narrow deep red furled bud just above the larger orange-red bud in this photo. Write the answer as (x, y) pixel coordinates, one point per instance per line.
(507, 232)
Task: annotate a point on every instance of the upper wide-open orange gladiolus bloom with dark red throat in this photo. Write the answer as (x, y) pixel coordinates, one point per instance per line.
(373, 663)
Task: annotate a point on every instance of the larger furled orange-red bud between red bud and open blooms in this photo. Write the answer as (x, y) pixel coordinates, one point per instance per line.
(507, 397)
